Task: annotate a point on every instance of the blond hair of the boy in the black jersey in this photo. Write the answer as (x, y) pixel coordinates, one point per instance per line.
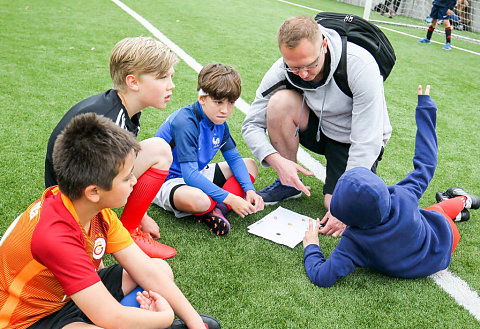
(139, 55)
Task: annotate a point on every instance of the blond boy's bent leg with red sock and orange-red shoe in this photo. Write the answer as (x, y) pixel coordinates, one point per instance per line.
(151, 167)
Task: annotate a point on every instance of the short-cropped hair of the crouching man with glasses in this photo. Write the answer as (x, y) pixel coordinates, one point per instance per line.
(296, 28)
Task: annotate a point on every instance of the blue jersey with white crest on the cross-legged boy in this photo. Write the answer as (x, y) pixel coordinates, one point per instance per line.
(193, 137)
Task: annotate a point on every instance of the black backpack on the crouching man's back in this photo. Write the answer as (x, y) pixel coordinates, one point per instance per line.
(363, 33)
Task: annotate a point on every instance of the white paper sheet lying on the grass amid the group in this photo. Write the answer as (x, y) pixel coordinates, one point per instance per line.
(281, 226)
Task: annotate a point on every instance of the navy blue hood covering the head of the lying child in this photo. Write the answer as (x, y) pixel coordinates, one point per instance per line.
(360, 199)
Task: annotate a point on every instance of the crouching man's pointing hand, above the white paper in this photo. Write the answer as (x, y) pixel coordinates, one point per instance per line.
(287, 171)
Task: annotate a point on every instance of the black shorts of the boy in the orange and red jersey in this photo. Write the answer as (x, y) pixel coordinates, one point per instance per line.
(70, 313)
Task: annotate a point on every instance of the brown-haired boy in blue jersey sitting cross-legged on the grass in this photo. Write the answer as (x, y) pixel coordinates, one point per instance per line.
(196, 133)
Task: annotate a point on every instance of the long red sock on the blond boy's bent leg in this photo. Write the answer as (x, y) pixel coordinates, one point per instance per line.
(142, 195)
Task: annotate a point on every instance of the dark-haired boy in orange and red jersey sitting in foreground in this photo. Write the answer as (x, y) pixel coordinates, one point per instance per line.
(52, 273)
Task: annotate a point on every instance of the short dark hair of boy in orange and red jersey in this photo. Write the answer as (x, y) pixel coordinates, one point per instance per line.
(91, 150)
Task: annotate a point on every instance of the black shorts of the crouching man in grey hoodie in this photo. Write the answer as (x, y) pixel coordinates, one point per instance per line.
(335, 153)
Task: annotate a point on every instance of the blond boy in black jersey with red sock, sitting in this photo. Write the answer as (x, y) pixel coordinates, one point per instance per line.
(141, 69)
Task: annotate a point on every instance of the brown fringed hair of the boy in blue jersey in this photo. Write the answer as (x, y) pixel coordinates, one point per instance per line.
(220, 81)
